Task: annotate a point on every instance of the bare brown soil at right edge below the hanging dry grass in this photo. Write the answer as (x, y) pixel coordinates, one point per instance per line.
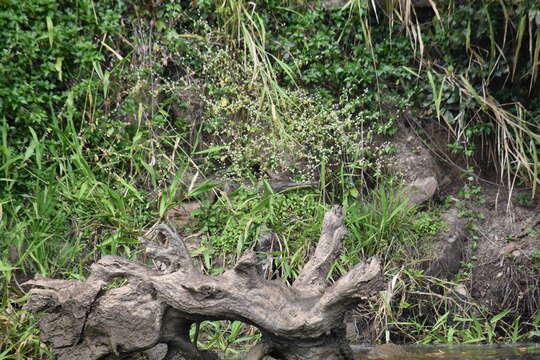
(504, 251)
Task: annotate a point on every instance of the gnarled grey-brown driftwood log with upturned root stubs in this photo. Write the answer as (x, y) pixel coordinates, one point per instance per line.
(91, 319)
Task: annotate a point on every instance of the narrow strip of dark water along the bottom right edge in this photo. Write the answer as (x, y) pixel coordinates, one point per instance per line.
(452, 352)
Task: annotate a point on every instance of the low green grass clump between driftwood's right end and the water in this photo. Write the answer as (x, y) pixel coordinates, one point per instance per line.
(420, 308)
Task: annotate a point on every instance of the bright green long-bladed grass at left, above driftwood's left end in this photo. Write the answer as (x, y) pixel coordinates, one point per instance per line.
(64, 206)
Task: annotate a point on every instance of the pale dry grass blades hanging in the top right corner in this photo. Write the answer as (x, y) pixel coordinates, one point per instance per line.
(514, 139)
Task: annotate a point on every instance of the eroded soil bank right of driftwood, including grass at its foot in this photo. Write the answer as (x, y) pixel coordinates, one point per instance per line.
(484, 260)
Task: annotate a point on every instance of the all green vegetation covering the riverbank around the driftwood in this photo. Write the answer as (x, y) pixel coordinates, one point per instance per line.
(116, 116)
